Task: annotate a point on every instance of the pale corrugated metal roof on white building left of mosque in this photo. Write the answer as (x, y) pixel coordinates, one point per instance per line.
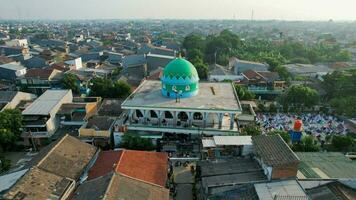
(45, 103)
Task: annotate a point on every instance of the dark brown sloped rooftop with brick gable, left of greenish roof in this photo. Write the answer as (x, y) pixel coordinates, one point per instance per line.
(273, 150)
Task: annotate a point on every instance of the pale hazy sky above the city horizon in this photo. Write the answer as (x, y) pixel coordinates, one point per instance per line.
(179, 9)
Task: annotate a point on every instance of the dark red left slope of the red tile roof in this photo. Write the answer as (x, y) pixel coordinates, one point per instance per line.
(104, 164)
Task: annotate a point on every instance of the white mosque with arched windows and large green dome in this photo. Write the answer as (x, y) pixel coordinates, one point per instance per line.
(179, 103)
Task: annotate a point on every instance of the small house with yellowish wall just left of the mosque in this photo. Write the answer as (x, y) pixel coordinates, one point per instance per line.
(97, 130)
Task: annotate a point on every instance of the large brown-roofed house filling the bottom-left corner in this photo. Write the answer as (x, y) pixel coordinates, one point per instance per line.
(55, 171)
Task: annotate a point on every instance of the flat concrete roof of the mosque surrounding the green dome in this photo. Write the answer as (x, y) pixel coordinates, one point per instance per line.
(211, 96)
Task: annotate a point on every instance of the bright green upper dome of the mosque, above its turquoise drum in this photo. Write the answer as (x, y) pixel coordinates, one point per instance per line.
(180, 67)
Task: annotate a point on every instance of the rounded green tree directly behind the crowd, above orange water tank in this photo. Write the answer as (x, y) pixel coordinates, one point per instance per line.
(299, 96)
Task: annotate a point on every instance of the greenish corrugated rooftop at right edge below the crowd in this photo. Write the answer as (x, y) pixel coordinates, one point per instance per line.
(325, 165)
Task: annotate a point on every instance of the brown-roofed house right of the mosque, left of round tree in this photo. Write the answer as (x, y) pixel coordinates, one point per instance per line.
(261, 82)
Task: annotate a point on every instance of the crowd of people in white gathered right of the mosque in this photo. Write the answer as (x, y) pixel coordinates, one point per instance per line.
(313, 124)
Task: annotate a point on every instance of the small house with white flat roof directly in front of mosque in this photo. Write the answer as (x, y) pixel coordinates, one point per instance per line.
(226, 146)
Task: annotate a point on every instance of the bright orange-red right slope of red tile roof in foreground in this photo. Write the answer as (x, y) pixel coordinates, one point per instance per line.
(146, 166)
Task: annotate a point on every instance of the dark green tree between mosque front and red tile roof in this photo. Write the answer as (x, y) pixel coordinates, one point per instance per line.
(135, 142)
